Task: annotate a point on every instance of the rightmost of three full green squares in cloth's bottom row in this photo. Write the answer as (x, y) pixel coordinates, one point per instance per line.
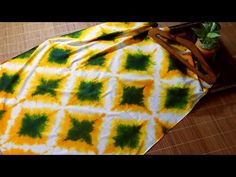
(127, 136)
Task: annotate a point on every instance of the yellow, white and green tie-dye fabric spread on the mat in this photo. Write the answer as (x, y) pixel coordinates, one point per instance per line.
(107, 89)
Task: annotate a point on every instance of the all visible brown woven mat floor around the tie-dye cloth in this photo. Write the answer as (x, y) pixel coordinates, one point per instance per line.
(209, 129)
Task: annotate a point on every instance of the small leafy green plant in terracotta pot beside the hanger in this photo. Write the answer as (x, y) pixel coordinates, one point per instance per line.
(208, 38)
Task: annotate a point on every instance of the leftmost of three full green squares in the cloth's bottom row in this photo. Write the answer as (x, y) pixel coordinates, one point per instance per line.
(33, 125)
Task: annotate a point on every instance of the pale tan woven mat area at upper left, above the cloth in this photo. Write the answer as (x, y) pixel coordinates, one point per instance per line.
(19, 37)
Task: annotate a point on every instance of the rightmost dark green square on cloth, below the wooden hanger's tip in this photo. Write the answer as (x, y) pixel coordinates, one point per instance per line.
(177, 98)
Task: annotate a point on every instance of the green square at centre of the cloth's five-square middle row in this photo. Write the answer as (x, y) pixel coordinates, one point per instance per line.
(89, 91)
